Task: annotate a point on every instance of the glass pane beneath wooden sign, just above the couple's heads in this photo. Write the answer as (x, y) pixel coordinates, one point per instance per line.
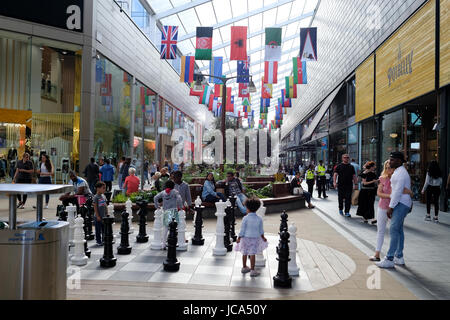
(392, 134)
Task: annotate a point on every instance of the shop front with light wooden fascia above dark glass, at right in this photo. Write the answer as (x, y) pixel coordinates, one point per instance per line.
(396, 100)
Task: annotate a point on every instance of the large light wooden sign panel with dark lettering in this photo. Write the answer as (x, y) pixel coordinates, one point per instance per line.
(405, 63)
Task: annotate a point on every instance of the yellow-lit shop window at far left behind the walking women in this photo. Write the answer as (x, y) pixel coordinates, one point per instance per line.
(40, 93)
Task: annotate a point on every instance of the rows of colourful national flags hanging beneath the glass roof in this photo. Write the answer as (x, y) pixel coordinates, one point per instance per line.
(211, 96)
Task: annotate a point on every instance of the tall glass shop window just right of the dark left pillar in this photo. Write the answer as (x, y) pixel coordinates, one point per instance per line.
(112, 111)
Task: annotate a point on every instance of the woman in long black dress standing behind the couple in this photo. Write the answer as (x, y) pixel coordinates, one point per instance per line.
(367, 193)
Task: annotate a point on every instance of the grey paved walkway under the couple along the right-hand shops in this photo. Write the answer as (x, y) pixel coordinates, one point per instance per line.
(427, 270)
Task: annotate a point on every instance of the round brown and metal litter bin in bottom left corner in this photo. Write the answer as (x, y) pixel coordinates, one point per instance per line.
(36, 261)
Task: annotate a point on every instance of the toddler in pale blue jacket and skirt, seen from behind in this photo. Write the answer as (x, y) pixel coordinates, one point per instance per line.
(251, 240)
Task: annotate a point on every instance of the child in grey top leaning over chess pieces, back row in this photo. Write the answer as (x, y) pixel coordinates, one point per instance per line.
(171, 203)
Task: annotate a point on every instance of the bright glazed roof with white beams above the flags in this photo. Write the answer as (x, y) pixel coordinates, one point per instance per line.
(257, 15)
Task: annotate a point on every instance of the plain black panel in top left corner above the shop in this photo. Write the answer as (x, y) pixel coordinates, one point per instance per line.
(65, 14)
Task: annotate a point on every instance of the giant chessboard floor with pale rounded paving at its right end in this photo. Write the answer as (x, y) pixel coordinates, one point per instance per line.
(322, 266)
